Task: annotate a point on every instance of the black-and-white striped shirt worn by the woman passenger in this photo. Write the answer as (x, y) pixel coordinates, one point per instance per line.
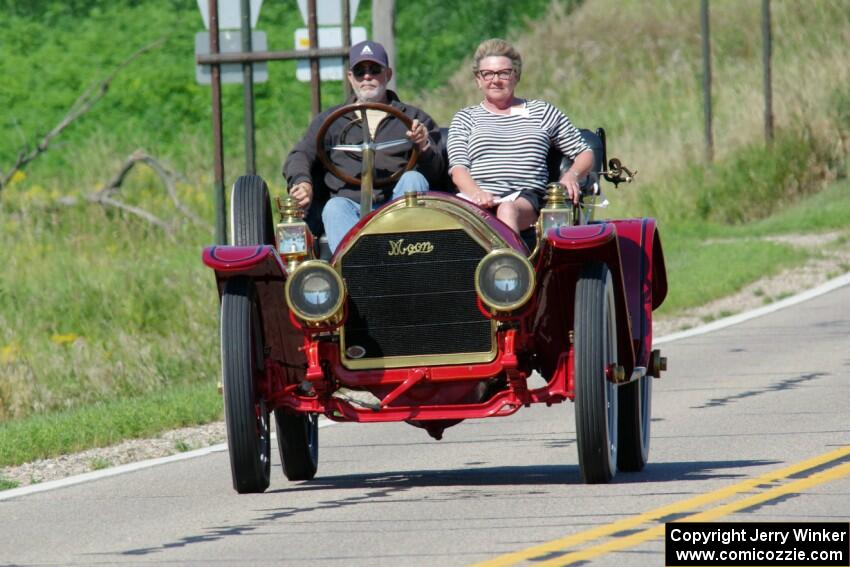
(505, 153)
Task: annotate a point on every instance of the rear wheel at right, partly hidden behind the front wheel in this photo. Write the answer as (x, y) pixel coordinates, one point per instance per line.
(635, 406)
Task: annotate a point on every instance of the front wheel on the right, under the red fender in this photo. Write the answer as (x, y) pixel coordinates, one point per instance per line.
(595, 395)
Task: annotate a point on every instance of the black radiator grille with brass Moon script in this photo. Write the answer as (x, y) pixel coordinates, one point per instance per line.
(414, 303)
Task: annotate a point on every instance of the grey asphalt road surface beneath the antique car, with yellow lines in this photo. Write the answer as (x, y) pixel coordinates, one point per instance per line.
(750, 423)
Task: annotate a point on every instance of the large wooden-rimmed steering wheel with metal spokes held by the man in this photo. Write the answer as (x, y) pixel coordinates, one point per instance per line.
(367, 144)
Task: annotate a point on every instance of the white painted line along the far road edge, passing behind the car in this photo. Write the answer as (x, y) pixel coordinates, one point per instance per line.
(831, 285)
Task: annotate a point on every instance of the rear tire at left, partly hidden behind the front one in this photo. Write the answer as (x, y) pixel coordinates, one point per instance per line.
(298, 442)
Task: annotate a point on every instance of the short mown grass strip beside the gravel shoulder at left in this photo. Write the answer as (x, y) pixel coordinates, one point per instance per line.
(47, 435)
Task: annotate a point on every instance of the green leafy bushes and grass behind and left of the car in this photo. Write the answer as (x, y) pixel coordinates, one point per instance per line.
(108, 328)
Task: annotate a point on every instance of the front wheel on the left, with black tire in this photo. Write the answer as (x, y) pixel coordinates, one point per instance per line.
(246, 415)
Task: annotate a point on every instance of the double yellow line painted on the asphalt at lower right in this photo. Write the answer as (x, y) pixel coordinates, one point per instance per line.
(562, 548)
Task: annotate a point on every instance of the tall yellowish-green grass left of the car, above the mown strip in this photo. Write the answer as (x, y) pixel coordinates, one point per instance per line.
(94, 306)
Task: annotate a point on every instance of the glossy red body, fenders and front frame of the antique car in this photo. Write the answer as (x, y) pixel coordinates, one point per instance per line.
(538, 338)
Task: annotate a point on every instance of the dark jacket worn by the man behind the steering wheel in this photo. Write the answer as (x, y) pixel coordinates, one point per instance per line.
(302, 164)
